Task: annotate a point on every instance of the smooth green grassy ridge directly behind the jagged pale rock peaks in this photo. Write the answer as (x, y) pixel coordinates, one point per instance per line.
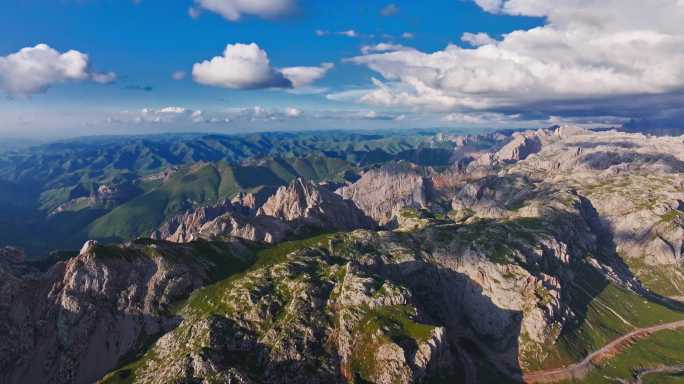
(203, 185)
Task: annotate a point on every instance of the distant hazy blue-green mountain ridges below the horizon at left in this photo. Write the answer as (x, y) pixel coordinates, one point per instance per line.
(118, 188)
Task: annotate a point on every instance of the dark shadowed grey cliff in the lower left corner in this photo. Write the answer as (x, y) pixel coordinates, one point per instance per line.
(78, 320)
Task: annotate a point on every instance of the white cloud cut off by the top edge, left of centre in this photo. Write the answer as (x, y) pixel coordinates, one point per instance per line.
(233, 10)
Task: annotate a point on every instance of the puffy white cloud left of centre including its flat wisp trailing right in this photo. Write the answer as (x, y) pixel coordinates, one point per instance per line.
(246, 66)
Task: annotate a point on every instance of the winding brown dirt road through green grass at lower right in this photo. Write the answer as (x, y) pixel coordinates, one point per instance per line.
(580, 370)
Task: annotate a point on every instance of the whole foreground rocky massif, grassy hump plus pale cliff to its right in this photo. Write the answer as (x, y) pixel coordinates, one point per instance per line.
(385, 307)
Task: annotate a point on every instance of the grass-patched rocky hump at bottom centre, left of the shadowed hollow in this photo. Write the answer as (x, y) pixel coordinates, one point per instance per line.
(324, 313)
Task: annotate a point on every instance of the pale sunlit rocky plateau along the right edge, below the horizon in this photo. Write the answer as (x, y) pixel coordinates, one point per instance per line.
(636, 184)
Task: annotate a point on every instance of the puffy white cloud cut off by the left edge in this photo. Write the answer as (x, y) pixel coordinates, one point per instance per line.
(34, 69)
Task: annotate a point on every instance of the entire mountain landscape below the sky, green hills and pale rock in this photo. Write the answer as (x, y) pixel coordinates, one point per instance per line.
(552, 255)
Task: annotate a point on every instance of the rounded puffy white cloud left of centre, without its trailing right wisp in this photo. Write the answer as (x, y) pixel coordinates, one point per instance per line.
(242, 66)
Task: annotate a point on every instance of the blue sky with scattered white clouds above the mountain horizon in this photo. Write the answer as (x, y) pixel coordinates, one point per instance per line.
(138, 45)
